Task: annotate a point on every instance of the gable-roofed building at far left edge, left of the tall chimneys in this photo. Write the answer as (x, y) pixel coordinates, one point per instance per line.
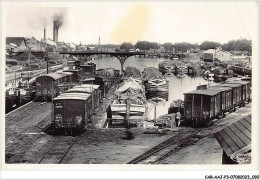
(16, 43)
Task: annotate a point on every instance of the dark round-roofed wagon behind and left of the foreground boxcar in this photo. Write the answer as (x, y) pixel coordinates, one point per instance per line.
(47, 85)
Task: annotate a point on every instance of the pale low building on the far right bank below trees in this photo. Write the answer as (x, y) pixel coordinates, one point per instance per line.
(216, 54)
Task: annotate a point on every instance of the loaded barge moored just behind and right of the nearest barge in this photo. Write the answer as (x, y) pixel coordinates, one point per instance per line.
(156, 85)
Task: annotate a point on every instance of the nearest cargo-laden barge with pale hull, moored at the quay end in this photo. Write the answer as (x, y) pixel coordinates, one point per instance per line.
(129, 104)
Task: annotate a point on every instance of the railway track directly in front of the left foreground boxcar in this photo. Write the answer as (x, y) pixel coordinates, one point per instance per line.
(59, 149)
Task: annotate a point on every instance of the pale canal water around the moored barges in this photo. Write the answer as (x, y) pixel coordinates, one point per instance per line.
(177, 85)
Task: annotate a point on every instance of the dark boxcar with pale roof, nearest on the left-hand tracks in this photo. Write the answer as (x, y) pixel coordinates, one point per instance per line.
(70, 112)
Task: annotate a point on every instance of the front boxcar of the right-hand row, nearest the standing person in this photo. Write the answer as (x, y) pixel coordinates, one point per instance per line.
(201, 106)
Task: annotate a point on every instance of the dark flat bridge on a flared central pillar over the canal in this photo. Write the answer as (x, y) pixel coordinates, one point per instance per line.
(120, 55)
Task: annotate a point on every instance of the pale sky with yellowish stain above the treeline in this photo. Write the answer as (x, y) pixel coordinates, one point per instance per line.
(119, 22)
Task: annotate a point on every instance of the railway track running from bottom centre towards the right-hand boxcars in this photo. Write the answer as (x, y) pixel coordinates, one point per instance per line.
(165, 148)
